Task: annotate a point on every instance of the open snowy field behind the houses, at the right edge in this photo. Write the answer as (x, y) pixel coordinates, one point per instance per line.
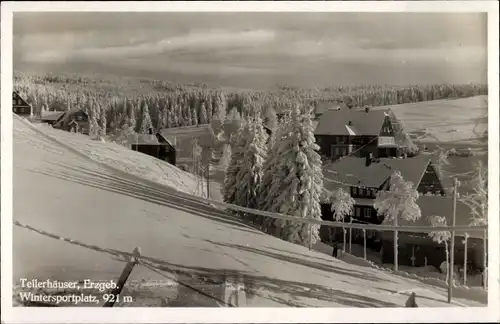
(448, 120)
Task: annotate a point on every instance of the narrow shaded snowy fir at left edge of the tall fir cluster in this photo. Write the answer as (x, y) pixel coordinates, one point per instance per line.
(238, 142)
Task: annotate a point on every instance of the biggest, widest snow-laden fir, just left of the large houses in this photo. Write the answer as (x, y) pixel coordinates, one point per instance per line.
(298, 183)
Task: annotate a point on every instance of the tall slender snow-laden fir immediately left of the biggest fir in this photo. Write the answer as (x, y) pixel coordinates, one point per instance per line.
(250, 172)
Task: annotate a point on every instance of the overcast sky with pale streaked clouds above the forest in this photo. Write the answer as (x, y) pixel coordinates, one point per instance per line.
(258, 49)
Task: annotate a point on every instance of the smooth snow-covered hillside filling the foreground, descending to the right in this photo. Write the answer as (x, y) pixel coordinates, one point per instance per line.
(77, 218)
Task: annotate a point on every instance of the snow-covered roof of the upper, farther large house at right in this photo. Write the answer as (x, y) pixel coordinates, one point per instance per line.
(334, 122)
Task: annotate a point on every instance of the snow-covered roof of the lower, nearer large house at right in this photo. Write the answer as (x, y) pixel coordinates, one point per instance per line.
(353, 171)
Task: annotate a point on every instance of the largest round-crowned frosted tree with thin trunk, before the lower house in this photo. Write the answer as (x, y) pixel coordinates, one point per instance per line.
(399, 202)
